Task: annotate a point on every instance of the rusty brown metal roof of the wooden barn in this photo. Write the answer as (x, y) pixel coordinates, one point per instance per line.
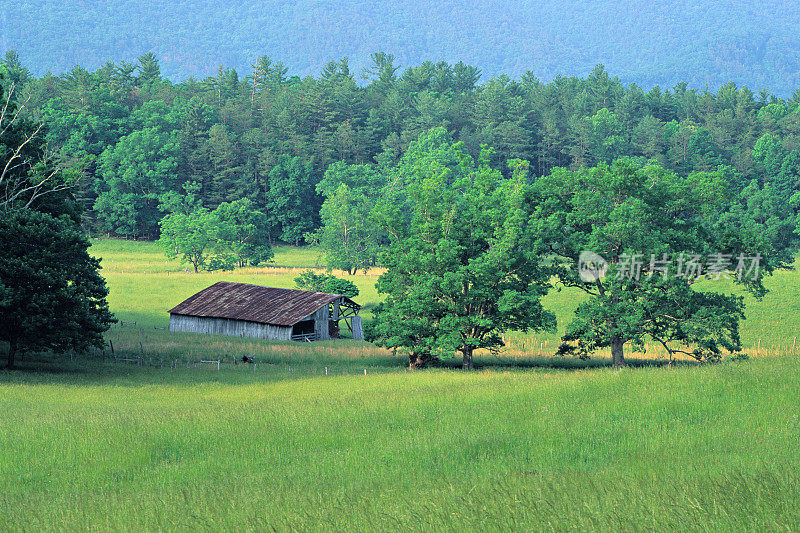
(254, 303)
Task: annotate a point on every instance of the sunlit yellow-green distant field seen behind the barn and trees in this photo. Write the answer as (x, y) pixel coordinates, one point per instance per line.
(144, 286)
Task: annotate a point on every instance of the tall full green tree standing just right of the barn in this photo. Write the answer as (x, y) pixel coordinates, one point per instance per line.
(462, 266)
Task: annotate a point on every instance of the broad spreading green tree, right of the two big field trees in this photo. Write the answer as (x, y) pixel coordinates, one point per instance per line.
(654, 236)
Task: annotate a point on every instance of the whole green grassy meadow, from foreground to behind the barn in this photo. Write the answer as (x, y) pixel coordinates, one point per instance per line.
(529, 442)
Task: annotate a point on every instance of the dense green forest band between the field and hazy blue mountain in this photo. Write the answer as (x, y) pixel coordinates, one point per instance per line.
(269, 136)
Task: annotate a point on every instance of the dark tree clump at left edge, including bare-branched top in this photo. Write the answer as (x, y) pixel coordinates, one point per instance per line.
(52, 296)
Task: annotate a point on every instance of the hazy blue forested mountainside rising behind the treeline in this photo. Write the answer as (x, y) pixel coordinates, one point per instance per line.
(650, 43)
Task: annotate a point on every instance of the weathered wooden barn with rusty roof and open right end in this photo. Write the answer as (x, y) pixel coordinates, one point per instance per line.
(260, 312)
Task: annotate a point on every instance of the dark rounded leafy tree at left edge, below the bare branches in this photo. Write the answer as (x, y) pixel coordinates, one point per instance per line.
(51, 294)
